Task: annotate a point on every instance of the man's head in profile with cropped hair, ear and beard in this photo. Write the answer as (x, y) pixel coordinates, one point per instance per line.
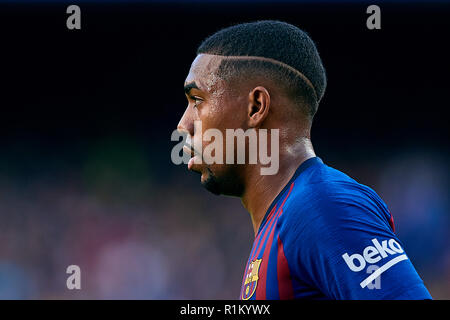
(260, 75)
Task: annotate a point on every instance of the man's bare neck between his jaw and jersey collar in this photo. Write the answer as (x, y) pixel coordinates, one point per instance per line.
(261, 190)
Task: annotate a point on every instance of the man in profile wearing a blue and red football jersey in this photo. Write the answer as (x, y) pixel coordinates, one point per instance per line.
(318, 233)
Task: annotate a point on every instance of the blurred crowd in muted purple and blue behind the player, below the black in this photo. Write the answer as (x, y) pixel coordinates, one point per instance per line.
(137, 235)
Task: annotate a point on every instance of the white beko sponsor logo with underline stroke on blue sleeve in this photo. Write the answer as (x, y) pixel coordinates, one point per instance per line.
(373, 254)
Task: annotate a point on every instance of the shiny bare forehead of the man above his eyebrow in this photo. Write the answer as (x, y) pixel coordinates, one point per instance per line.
(203, 71)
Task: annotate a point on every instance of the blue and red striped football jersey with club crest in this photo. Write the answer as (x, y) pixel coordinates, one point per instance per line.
(326, 236)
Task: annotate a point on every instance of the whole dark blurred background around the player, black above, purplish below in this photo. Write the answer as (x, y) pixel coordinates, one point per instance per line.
(85, 125)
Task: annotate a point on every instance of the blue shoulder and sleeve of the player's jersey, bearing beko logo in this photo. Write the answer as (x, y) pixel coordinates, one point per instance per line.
(332, 227)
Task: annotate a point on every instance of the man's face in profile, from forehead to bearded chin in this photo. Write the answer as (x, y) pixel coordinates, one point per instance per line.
(216, 105)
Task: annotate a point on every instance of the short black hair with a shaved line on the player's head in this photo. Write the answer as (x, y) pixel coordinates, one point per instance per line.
(274, 40)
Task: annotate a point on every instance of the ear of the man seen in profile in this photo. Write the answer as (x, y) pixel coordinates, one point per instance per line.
(258, 106)
